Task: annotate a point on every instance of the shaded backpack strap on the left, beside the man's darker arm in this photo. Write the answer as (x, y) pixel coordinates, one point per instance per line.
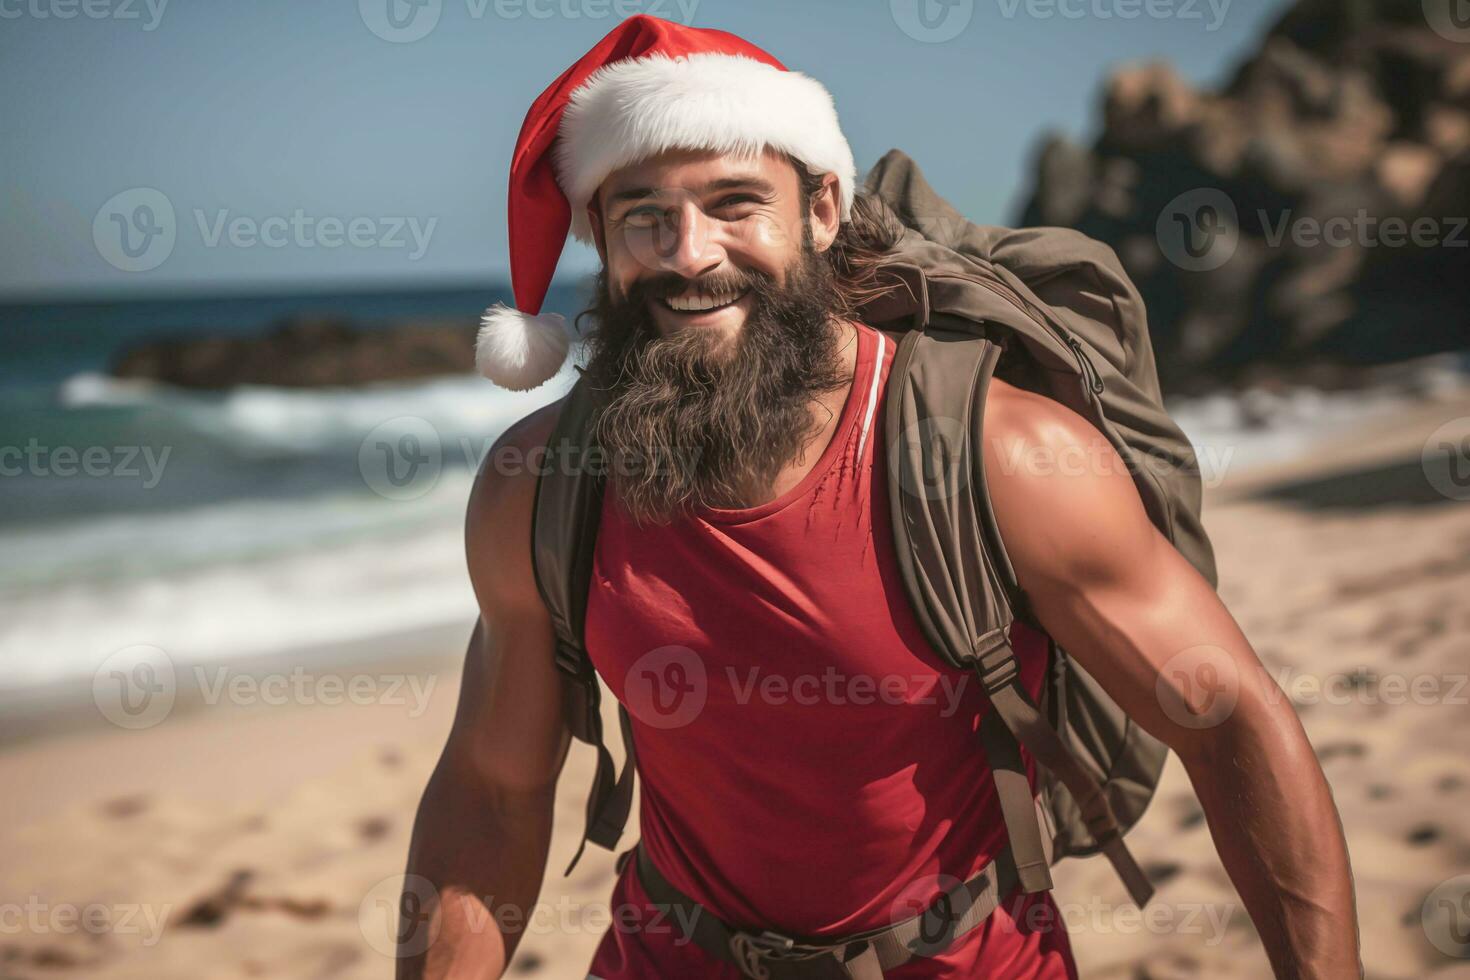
(564, 540)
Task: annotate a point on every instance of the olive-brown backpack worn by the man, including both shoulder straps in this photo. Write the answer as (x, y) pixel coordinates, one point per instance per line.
(1049, 311)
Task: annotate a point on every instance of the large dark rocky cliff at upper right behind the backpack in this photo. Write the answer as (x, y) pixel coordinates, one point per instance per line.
(1312, 212)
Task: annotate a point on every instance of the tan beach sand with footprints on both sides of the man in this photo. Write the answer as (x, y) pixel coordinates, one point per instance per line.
(267, 841)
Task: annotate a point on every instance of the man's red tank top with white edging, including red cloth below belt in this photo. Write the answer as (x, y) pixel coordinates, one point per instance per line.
(808, 763)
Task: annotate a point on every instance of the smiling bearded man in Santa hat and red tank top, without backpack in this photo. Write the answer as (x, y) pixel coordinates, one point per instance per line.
(752, 541)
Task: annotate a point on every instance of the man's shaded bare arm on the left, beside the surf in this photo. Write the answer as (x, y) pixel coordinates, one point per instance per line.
(484, 825)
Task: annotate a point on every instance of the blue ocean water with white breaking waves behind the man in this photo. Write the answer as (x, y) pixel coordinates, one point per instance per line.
(224, 527)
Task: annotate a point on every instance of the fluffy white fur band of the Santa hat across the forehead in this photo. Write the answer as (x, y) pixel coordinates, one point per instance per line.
(634, 109)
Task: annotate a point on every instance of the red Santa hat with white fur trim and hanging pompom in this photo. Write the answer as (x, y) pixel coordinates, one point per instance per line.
(648, 87)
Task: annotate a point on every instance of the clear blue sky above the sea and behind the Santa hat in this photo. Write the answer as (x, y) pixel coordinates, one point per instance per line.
(312, 143)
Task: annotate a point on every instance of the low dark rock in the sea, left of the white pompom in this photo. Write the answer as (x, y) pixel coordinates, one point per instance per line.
(304, 353)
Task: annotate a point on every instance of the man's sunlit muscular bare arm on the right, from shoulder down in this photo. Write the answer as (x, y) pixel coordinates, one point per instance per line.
(1152, 631)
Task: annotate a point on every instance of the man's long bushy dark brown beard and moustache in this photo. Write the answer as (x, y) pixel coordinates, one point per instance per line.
(700, 421)
